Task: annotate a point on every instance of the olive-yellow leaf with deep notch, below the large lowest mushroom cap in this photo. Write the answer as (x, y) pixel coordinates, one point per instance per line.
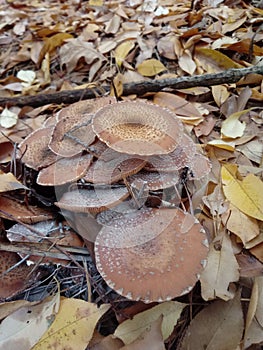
(130, 330)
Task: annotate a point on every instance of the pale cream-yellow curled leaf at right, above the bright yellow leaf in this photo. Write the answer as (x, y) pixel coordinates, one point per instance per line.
(232, 127)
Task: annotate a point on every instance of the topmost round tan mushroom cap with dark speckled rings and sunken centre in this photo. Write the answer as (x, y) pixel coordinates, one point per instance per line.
(138, 128)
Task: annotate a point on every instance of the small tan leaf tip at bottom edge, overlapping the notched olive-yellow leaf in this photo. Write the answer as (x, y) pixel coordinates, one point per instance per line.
(151, 338)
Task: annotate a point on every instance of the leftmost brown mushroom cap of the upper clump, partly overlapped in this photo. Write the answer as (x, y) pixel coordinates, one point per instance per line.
(34, 149)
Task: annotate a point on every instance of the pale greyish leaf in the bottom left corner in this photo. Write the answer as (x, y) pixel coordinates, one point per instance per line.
(24, 327)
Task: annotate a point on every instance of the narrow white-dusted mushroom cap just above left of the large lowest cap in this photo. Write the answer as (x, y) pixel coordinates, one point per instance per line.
(92, 200)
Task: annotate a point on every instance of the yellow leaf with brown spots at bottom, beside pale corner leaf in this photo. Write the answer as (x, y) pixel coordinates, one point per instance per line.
(73, 326)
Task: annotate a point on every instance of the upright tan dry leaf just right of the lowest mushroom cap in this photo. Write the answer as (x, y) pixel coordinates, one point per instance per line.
(220, 271)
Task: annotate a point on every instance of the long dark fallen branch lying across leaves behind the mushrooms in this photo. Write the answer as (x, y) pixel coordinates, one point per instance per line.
(138, 88)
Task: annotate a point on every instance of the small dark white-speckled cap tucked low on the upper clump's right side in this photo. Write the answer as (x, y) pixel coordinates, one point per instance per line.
(154, 181)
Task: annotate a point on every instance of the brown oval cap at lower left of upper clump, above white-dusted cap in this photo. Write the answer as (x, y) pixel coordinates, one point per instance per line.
(64, 170)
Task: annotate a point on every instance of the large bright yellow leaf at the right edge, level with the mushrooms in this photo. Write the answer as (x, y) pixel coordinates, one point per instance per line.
(246, 194)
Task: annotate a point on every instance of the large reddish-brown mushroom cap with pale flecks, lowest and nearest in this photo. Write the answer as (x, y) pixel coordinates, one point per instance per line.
(153, 260)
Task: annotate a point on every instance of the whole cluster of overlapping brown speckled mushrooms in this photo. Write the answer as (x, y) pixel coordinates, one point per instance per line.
(115, 156)
